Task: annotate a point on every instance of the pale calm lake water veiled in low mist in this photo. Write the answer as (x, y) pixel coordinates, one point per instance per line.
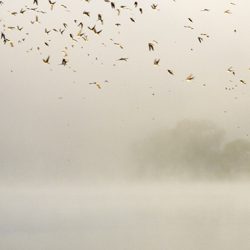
(128, 216)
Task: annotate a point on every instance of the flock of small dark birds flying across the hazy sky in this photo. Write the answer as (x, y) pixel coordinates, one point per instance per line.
(81, 32)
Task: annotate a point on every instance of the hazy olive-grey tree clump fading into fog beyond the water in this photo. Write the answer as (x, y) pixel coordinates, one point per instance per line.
(194, 148)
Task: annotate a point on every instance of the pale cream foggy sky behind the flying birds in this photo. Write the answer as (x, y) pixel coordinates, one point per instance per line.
(56, 125)
